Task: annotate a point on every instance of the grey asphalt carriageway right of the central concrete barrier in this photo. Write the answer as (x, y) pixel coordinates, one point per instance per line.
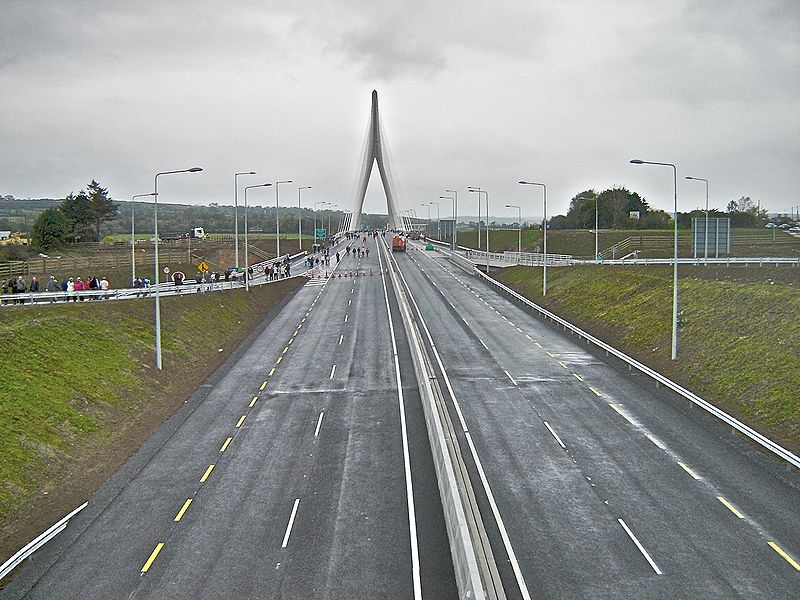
(592, 482)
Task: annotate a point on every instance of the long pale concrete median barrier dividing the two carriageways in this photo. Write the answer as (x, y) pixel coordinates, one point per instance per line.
(469, 563)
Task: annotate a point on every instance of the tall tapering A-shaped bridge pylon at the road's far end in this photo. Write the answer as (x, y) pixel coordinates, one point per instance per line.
(375, 152)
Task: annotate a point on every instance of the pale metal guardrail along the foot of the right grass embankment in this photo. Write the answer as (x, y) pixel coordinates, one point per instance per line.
(749, 432)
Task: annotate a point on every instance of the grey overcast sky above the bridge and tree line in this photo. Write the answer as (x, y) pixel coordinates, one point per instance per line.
(471, 93)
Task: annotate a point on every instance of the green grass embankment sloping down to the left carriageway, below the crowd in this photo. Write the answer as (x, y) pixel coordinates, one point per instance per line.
(79, 391)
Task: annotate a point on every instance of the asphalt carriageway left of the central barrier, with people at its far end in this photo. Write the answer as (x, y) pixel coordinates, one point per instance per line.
(299, 470)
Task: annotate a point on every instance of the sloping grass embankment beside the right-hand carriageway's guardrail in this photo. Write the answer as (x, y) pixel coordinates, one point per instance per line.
(738, 348)
